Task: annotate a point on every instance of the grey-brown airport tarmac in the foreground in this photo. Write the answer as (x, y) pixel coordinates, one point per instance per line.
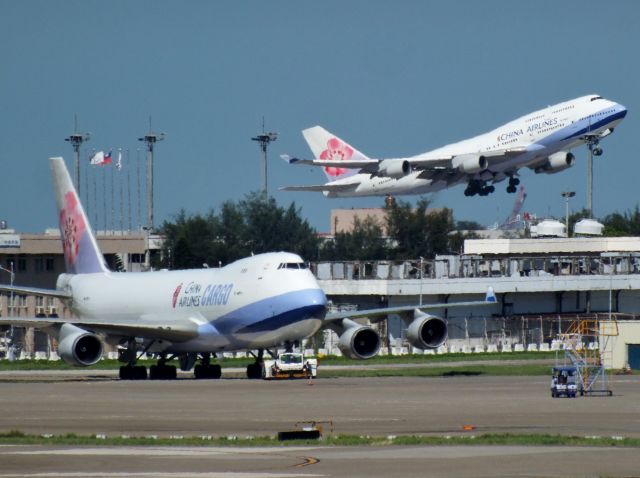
(96, 403)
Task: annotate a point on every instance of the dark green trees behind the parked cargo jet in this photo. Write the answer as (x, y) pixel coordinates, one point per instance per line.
(258, 224)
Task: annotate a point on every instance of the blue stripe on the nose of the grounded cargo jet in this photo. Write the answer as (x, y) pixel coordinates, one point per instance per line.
(273, 313)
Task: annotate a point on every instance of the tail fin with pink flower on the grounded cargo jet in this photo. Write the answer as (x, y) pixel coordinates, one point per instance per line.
(81, 252)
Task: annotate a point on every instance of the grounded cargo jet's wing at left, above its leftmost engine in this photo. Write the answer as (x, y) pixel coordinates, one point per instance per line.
(159, 330)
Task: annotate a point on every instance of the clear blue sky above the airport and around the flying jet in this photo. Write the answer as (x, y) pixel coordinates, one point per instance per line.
(391, 78)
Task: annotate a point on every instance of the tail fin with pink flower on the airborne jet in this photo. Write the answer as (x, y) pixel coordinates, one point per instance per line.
(325, 145)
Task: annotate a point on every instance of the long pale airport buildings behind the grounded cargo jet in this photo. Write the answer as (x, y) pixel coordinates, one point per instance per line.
(543, 285)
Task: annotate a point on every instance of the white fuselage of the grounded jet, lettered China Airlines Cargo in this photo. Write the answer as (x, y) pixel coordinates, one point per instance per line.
(257, 302)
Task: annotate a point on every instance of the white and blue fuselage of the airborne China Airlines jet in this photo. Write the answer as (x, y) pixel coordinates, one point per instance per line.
(540, 134)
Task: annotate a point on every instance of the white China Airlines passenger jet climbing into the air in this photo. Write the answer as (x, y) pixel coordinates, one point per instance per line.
(540, 141)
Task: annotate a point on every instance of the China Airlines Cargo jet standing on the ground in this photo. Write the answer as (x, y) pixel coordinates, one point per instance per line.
(258, 303)
